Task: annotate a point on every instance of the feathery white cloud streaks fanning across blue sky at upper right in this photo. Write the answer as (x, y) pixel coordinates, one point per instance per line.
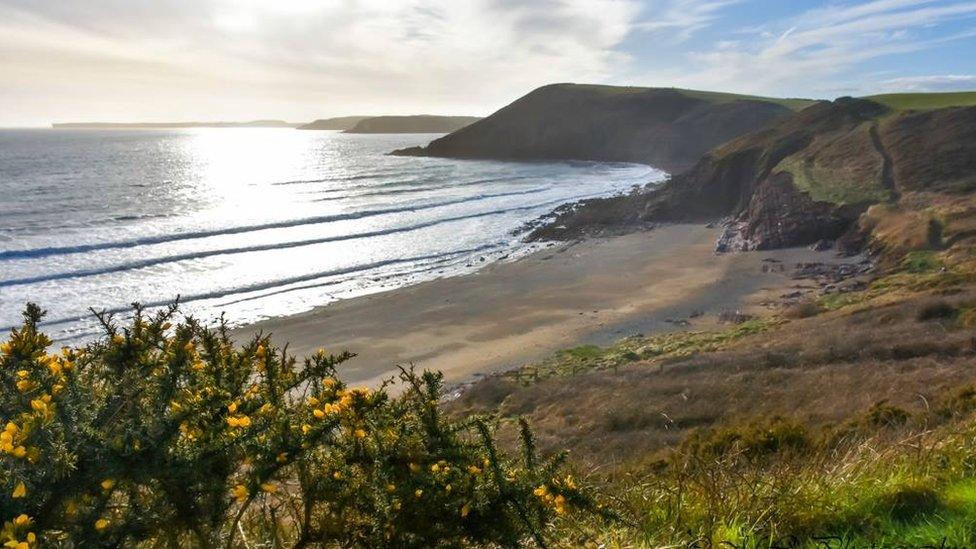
(822, 51)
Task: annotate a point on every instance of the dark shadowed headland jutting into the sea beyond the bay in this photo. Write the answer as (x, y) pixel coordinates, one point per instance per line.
(666, 128)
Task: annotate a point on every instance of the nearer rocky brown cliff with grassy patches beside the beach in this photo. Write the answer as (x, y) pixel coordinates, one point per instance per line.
(805, 178)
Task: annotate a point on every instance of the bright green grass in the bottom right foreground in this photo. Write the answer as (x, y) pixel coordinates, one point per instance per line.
(894, 486)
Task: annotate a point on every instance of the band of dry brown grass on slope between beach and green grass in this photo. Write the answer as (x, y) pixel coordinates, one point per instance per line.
(821, 371)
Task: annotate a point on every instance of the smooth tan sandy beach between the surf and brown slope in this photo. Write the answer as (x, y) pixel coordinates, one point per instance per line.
(509, 314)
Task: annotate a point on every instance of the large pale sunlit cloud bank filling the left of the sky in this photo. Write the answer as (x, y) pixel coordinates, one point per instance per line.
(297, 58)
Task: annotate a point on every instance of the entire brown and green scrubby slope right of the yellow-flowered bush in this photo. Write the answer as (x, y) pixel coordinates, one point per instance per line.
(842, 421)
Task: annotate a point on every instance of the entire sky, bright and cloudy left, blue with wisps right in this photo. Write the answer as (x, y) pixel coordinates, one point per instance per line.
(298, 60)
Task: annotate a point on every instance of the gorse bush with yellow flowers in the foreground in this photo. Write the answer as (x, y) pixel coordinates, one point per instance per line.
(165, 433)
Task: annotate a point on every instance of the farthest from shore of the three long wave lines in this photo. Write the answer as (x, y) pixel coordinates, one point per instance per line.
(32, 253)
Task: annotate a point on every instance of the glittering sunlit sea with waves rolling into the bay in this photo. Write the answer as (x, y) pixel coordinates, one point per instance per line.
(254, 223)
